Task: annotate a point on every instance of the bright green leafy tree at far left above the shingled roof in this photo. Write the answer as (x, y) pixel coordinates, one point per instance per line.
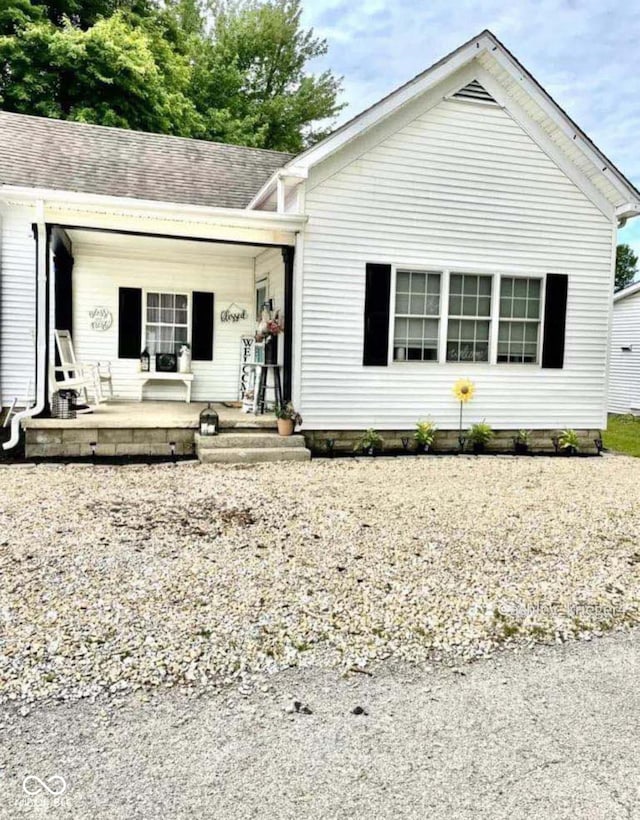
(114, 73)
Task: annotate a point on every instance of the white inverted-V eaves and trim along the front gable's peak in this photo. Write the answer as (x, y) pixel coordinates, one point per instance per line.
(497, 62)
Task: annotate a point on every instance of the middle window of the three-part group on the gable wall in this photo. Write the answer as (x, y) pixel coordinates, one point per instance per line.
(469, 323)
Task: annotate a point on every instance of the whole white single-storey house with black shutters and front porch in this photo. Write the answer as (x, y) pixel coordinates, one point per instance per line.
(463, 226)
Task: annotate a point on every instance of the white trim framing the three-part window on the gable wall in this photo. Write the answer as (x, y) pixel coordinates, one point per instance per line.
(443, 317)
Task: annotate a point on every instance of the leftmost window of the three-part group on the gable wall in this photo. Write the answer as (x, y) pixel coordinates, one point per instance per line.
(417, 316)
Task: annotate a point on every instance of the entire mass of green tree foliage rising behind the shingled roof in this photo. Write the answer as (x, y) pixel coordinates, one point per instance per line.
(228, 71)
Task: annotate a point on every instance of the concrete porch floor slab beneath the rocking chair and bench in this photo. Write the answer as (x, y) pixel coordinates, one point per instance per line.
(153, 414)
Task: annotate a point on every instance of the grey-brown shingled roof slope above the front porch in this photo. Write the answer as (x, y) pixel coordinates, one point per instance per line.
(42, 153)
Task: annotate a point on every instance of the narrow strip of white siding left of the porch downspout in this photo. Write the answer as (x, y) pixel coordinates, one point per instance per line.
(17, 306)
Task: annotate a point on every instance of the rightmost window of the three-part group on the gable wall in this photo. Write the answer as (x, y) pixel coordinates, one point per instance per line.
(519, 326)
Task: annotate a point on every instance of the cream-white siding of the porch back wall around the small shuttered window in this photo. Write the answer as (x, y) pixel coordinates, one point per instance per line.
(96, 279)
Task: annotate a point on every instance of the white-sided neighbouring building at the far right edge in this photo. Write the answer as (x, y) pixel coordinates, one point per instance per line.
(624, 366)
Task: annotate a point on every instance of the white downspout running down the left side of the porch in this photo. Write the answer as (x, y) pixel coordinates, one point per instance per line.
(42, 263)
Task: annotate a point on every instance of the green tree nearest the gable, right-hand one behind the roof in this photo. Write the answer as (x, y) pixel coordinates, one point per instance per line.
(257, 55)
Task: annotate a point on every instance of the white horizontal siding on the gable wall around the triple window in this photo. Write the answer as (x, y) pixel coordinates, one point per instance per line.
(462, 186)
